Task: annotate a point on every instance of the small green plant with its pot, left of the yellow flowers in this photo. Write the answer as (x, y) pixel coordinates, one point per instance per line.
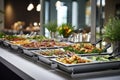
(52, 28)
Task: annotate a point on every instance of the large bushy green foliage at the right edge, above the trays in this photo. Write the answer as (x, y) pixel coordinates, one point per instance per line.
(112, 29)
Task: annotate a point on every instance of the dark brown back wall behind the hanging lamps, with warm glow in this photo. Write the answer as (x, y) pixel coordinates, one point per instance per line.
(17, 11)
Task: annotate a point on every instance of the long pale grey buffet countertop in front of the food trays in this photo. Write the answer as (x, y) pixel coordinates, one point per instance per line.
(29, 69)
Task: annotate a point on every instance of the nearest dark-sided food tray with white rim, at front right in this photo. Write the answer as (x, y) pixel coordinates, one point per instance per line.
(86, 67)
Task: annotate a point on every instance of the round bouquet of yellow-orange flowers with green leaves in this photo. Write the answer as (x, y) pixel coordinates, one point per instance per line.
(65, 30)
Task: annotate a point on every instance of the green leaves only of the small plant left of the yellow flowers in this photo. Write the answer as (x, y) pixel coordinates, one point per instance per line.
(51, 26)
